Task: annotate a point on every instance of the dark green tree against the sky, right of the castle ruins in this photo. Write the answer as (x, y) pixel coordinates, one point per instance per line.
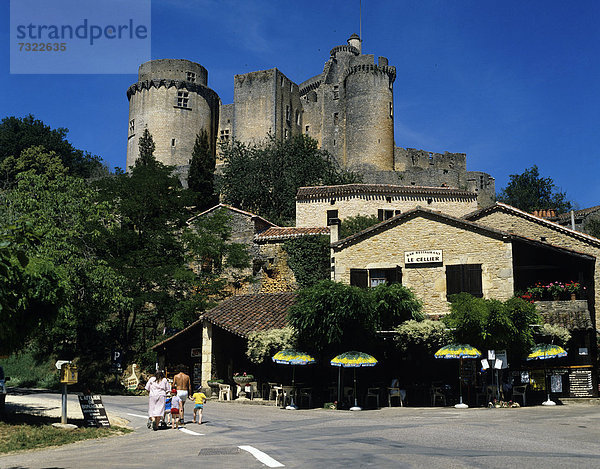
(528, 191)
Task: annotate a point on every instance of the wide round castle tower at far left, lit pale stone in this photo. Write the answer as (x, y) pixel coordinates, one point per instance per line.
(172, 100)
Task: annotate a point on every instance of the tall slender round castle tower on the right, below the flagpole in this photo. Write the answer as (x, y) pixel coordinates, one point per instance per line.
(369, 114)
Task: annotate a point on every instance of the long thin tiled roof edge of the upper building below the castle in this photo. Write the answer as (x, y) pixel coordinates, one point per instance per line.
(379, 189)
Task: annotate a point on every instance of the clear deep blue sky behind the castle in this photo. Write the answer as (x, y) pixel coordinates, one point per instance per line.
(511, 83)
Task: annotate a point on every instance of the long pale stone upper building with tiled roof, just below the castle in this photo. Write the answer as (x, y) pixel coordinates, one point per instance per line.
(313, 203)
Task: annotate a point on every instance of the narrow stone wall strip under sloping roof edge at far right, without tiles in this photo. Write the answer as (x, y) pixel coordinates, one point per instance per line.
(546, 232)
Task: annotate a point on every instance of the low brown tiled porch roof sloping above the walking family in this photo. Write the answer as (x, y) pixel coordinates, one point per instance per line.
(243, 314)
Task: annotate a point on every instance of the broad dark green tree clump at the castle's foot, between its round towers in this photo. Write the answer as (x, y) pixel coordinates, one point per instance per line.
(265, 179)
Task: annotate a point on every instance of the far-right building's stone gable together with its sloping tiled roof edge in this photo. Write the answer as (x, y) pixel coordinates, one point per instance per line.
(512, 220)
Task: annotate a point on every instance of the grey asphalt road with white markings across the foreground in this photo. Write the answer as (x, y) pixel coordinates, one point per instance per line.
(531, 437)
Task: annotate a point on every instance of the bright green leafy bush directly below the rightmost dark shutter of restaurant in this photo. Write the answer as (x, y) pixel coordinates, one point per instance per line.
(491, 324)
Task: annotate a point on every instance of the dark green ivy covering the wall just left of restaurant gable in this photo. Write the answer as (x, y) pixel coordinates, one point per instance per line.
(308, 257)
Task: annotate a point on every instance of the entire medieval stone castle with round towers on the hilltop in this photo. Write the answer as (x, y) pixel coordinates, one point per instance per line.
(348, 109)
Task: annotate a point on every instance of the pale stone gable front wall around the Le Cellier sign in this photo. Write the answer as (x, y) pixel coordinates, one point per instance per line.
(384, 247)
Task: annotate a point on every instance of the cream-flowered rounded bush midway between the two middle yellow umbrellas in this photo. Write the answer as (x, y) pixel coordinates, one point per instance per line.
(422, 338)
